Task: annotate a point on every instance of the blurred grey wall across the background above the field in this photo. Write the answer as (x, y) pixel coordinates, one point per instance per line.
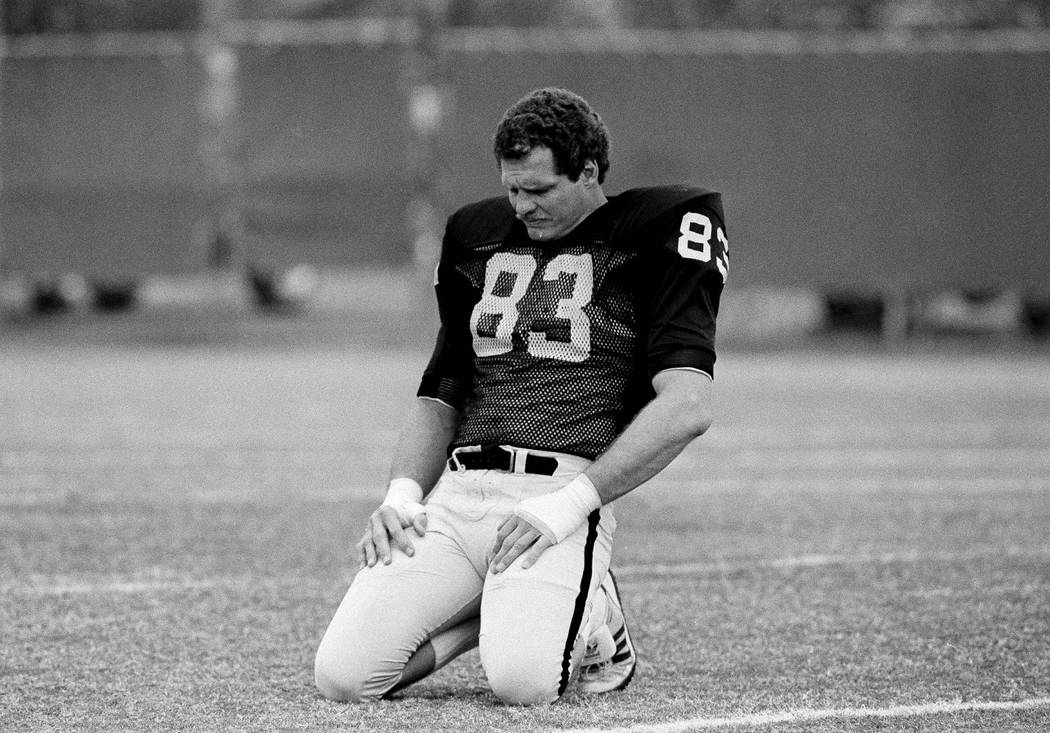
(872, 145)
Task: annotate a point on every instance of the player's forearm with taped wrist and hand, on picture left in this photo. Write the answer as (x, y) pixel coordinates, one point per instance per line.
(418, 462)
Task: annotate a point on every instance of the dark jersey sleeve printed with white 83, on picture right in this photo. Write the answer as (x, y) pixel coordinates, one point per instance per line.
(687, 277)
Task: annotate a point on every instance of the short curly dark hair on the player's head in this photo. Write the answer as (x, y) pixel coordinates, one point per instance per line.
(560, 120)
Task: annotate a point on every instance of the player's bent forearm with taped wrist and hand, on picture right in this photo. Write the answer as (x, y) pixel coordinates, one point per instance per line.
(681, 412)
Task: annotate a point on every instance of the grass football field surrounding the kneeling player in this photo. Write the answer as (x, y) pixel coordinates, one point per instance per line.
(862, 542)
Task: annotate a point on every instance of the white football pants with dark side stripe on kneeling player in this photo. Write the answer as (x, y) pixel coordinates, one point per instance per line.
(400, 622)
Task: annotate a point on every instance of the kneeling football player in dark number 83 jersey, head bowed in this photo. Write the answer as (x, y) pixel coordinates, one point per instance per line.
(575, 361)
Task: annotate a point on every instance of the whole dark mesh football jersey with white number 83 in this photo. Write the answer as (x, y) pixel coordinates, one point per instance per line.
(554, 345)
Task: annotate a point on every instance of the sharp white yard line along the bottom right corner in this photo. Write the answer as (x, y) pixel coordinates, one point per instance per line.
(805, 716)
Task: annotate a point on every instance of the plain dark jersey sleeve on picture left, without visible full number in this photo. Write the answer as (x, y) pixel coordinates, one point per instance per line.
(448, 376)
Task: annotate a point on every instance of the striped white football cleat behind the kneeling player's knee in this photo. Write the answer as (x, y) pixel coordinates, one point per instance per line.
(610, 661)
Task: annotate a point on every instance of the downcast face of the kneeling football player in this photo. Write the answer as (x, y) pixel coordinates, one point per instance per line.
(550, 204)
